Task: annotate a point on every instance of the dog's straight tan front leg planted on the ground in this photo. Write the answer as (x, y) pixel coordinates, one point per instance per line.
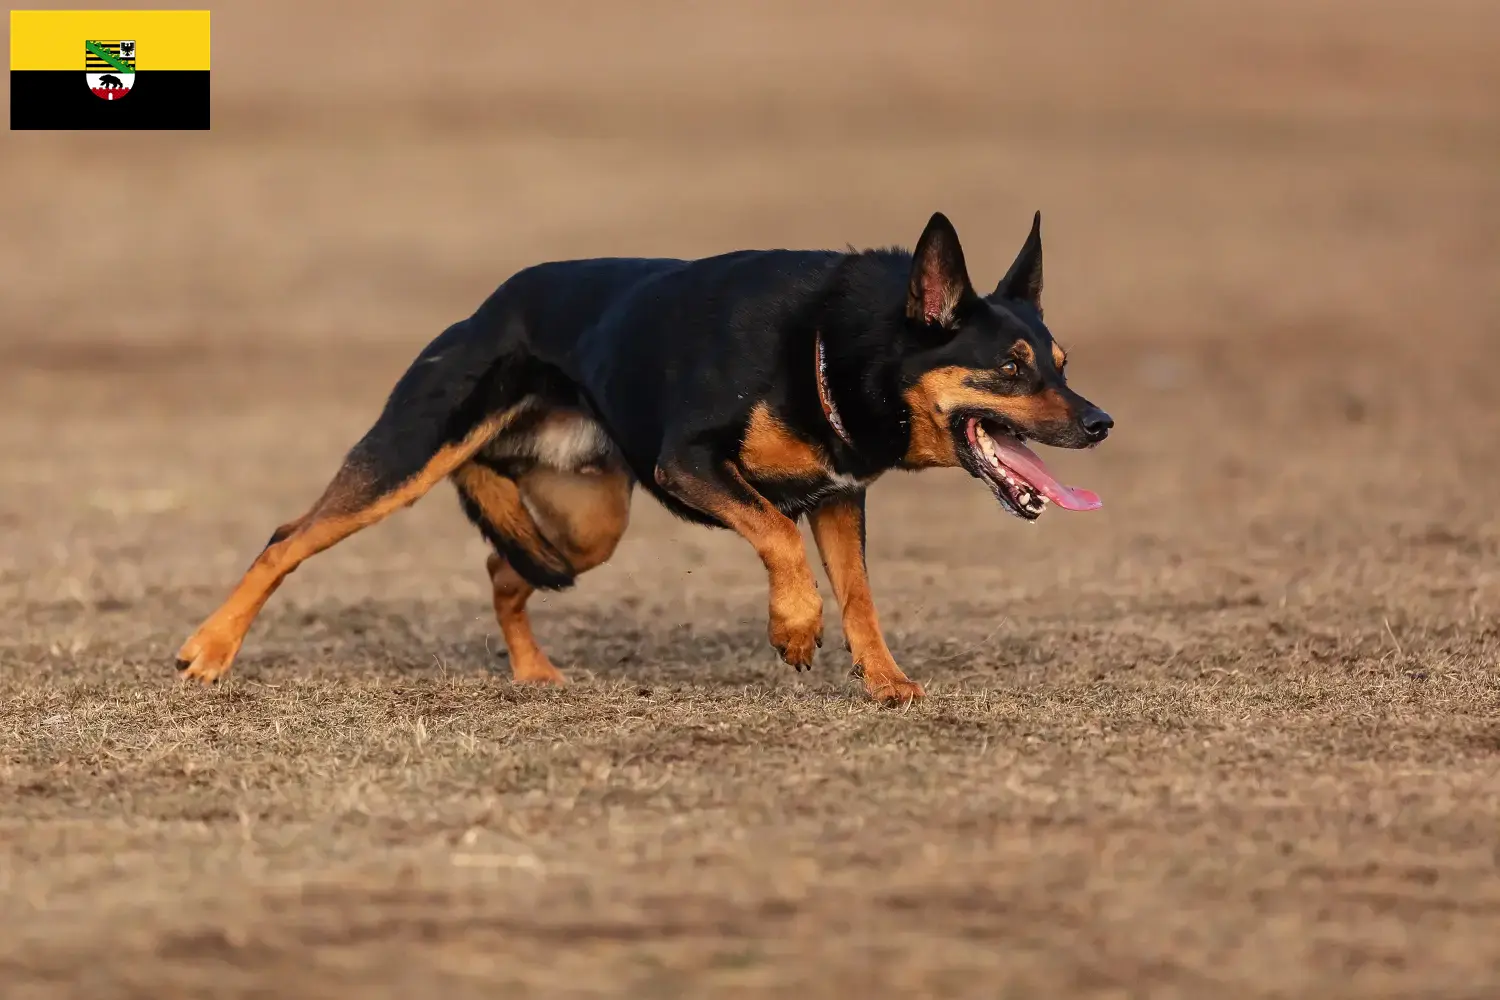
(839, 533)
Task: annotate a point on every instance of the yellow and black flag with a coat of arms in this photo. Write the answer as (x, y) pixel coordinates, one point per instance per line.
(110, 70)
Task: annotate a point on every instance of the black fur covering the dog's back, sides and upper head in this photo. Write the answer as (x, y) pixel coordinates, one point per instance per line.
(671, 358)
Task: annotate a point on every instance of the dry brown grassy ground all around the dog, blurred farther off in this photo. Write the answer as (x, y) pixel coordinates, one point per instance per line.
(1235, 735)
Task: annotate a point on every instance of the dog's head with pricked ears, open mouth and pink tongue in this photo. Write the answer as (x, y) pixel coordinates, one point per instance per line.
(983, 376)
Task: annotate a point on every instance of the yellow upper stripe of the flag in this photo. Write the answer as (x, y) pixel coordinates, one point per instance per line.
(164, 40)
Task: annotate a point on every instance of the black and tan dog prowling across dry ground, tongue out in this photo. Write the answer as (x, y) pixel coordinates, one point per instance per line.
(740, 391)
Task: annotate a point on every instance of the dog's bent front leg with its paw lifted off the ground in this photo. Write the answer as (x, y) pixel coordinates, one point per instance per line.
(721, 491)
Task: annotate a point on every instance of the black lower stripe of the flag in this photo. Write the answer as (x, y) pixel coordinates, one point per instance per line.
(61, 100)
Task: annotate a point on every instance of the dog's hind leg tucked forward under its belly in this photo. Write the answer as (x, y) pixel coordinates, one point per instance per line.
(548, 527)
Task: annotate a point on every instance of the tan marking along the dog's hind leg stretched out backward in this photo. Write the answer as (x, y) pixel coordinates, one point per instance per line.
(338, 515)
